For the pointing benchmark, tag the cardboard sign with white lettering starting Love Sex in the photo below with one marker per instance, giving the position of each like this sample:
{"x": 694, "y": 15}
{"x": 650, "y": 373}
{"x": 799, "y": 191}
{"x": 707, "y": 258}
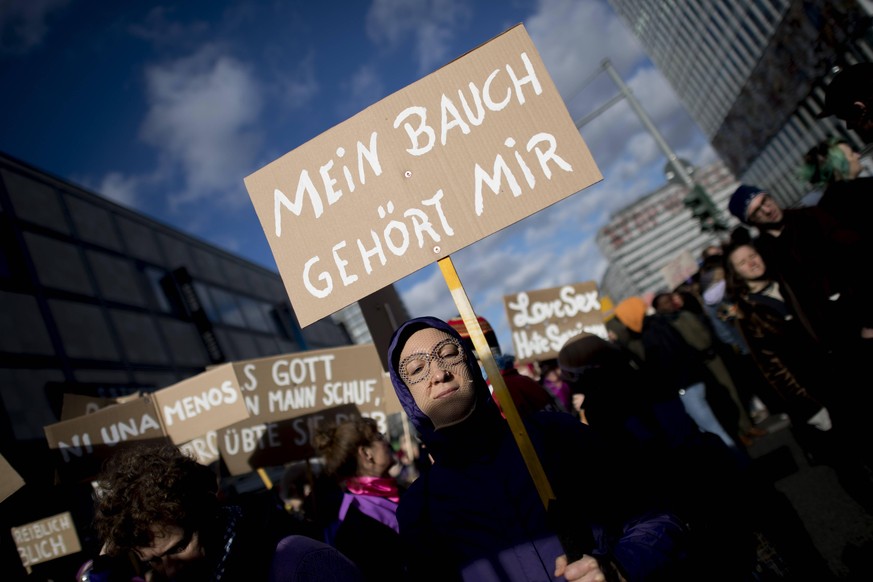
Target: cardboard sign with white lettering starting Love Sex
{"x": 543, "y": 320}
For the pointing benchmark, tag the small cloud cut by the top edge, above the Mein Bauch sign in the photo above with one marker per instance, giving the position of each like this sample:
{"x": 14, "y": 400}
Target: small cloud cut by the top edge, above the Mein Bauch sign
{"x": 429, "y": 23}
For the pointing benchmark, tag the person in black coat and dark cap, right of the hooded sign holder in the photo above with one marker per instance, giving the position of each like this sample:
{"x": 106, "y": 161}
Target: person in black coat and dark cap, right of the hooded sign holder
{"x": 726, "y": 503}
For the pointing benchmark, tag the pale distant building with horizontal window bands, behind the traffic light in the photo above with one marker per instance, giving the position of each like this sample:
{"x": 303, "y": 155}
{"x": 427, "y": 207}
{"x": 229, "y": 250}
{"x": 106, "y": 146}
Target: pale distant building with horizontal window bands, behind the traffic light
{"x": 643, "y": 239}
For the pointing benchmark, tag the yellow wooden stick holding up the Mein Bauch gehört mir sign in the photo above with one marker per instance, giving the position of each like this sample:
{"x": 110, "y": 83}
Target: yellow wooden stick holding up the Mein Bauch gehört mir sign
{"x": 500, "y": 390}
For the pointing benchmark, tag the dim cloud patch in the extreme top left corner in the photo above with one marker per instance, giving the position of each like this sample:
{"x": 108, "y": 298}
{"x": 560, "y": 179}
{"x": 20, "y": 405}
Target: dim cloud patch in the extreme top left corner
{"x": 25, "y": 23}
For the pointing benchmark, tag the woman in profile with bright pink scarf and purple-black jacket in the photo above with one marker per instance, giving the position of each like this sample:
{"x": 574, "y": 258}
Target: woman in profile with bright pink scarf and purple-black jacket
{"x": 359, "y": 458}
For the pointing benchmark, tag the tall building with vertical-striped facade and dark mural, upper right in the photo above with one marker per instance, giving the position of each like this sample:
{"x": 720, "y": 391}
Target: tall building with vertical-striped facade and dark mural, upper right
{"x": 751, "y": 73}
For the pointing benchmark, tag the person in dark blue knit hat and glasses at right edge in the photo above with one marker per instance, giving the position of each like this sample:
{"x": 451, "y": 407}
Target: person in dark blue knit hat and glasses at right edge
{"x": 817, "y": 259}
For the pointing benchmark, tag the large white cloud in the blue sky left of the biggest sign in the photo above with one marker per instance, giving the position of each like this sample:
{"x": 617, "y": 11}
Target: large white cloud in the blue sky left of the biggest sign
{"x": 202, "y": 117}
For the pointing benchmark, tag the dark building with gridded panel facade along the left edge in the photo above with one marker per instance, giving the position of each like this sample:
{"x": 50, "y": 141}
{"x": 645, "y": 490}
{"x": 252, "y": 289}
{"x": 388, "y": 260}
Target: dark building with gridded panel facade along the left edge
{"x": 100, "y": 300}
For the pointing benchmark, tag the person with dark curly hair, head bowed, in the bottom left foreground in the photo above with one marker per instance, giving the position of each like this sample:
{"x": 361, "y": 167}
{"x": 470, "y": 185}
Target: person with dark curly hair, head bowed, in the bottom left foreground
{"x": 161, "y": 507}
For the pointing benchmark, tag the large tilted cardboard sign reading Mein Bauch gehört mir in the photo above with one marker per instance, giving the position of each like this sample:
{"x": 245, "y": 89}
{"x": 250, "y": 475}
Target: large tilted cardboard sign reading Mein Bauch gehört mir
{"x": 458, "y": 155}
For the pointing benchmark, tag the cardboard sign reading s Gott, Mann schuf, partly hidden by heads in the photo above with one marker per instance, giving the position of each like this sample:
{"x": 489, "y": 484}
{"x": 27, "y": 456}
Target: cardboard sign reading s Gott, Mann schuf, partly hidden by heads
{"x": 296, "y": 386}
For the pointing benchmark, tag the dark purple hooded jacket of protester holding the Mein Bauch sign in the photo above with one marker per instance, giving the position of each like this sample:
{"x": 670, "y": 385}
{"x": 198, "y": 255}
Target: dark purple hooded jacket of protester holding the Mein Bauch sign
{"x": 477, "y": 515}
